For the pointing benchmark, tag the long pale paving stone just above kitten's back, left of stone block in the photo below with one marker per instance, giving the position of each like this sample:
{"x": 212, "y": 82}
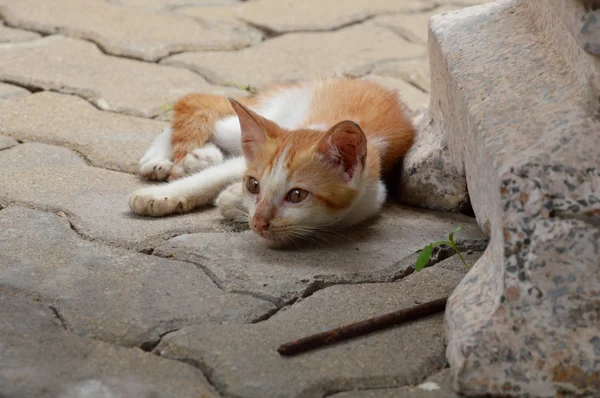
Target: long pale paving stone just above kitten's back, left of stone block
{"x": 299, "y": 56}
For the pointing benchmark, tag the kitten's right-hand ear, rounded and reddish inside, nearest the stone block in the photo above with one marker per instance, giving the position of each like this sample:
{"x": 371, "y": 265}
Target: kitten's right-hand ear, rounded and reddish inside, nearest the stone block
{"x": 344, "y": 146}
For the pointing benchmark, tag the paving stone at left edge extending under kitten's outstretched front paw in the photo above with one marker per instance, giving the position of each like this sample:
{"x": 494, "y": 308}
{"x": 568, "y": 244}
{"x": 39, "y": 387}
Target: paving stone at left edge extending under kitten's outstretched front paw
{"x": 95, "y": 200}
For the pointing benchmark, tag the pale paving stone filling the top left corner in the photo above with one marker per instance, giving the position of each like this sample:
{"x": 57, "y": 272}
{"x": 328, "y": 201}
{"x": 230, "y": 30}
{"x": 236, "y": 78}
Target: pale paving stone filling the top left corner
{"x": 128, "y": 31}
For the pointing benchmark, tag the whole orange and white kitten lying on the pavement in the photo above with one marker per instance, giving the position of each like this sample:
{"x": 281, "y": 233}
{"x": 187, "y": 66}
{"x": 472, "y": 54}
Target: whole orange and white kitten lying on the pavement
{"x": 293, "y": 160}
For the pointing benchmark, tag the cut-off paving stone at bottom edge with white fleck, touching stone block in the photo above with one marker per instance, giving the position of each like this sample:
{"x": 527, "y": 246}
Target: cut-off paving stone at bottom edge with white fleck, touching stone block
{"x": 436, "y": 386}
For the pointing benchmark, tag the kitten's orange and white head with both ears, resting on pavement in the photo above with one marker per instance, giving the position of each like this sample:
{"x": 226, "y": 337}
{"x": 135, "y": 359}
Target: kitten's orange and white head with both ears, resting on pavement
{"x": 299, "y": 183}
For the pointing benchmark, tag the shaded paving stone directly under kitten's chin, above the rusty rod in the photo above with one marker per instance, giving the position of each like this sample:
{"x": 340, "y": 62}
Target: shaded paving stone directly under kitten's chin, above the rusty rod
{"x": 375, "y": 252}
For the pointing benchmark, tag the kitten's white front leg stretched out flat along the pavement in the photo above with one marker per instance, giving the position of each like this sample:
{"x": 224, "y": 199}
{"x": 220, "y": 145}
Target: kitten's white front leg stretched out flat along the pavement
{"x": 187, "y": 193}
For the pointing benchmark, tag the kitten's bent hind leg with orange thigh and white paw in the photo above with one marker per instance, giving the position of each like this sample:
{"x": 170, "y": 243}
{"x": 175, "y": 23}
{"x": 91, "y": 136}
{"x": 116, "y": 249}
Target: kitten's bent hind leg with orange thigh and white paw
{"x": 195, "y": 116}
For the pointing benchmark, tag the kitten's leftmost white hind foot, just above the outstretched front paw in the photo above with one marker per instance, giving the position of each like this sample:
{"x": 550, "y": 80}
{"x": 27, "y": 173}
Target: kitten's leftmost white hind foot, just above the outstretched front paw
{"x": 156, "y": 164}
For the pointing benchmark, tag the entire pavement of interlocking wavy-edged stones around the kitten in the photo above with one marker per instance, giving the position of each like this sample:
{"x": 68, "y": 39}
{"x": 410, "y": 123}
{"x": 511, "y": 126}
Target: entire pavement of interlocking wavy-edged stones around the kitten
{"x": 97, "y": 302}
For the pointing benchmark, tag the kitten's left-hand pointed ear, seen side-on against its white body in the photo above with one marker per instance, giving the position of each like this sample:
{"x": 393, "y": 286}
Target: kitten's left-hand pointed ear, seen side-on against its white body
{"x": 255, "y": 129}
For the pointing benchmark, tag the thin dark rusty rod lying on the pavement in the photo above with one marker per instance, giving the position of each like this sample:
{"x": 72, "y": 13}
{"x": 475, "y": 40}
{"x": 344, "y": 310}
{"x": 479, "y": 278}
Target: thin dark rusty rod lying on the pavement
{"x": 364, "y": 327}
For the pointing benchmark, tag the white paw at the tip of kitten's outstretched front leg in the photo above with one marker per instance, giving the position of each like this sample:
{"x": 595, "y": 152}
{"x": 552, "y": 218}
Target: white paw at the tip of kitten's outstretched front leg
{"x": 157, "y": 202}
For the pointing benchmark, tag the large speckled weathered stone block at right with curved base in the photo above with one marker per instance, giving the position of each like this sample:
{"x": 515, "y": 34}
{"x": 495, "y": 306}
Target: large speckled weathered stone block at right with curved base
{"x": 525, "y": 321}
